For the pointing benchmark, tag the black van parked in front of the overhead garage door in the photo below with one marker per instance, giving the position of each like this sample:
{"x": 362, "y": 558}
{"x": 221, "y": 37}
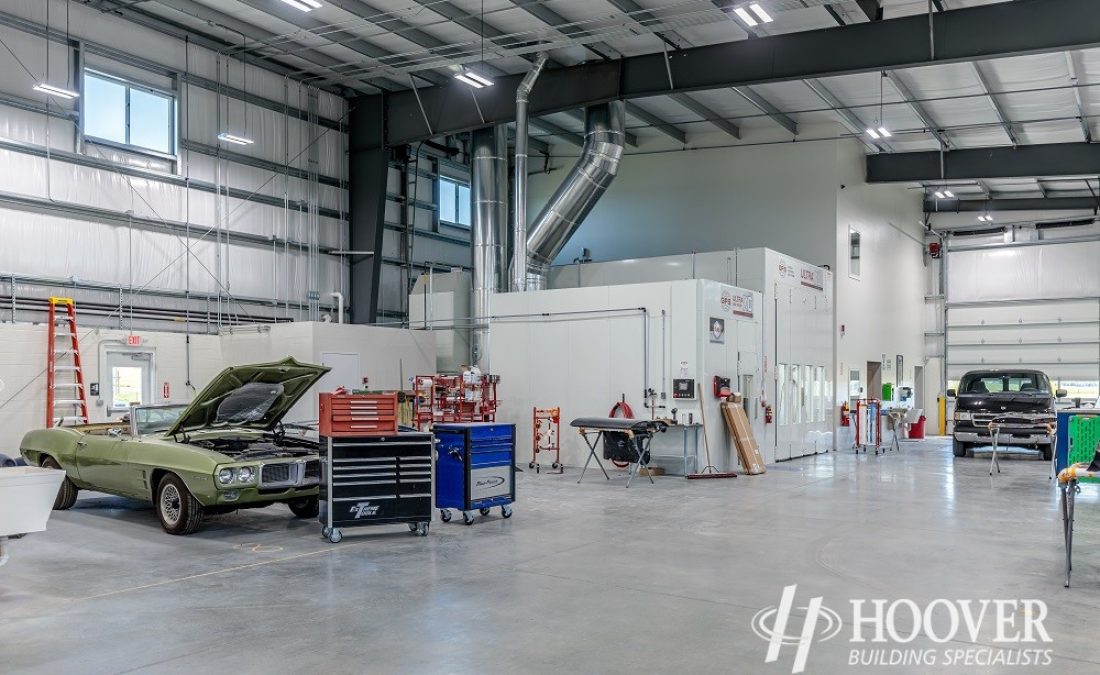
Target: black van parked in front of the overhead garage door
{"x": 1020, "y": 402}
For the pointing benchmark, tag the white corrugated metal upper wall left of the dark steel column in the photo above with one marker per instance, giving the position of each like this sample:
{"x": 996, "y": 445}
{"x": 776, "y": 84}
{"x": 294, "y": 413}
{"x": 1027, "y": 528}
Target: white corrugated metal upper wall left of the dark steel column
{"x": 233, "y": 234}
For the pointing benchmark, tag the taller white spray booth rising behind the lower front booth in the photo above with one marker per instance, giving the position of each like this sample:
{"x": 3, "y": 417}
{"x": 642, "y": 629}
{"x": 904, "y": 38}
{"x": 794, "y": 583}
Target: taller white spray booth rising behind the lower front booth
{"x": 797, "y": 319}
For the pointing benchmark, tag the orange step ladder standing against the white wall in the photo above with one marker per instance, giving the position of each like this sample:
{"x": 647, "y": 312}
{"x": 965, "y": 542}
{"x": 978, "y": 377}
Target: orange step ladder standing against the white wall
{"x": 65, "y": 397}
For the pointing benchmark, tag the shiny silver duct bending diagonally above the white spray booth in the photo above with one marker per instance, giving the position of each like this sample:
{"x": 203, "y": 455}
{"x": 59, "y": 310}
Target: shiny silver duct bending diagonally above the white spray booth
{"x": 580, "y": 192}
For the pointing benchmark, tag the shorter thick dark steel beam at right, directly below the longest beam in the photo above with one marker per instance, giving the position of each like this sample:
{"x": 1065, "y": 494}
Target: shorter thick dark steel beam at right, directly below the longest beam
{"x": 1005, "y": 162}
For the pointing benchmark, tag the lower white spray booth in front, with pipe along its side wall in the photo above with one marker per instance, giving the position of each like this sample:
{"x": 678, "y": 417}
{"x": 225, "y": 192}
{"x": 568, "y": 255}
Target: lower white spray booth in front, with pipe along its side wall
{"x": 585, "y": 349}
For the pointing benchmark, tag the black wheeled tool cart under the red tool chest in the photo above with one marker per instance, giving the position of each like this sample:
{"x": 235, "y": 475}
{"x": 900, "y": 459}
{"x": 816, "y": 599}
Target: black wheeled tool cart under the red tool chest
{"x": 371, "y": 481}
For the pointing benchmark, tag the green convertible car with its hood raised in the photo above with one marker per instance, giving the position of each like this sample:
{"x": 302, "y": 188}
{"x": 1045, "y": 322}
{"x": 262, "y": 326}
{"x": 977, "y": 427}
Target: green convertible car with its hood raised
{"x": 227, "y": 450}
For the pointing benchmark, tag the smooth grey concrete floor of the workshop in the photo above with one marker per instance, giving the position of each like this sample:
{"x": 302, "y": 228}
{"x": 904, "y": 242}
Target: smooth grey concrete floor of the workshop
{"x": 585, "y": 579}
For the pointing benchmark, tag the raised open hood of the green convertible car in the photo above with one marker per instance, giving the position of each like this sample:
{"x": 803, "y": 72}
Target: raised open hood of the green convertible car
{"x": 254, "y": 396}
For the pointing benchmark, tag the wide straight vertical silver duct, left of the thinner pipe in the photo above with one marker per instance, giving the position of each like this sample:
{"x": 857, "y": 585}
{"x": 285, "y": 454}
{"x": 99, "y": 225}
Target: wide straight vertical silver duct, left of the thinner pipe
{"x": 490, "y": 161}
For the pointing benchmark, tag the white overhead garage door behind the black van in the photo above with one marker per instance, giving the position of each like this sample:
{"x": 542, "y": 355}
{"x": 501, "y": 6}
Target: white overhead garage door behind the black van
{"x": 1026, "y": 305}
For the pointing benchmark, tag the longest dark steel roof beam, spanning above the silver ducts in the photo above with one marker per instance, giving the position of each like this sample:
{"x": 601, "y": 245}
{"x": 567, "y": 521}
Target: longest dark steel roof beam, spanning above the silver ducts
{"x": 1024, "y": 27}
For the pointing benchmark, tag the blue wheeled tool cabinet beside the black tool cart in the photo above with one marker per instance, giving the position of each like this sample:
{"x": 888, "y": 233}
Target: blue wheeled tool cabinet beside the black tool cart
{"x": 476, "y": 469}
